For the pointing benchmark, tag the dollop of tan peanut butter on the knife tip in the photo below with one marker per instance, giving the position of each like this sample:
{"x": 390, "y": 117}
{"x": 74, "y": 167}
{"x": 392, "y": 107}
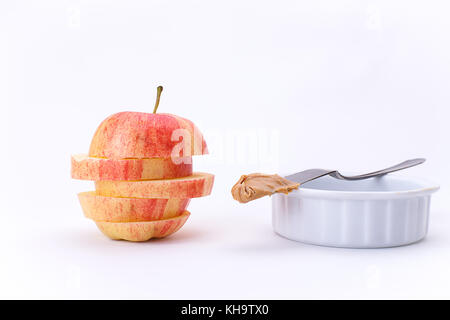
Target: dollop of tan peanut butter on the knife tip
{"x": 257, "y": 185}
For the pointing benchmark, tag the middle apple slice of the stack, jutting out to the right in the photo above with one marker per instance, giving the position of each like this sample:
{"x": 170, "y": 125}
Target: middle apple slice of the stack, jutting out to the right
{"x": 197, "y": 185}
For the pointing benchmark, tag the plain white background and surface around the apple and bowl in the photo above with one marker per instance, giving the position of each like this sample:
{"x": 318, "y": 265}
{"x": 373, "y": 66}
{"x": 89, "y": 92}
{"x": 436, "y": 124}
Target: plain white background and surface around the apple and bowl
{"x": 353, "y": 85}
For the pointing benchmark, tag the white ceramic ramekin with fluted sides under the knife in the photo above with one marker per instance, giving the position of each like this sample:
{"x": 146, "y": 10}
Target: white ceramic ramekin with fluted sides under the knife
{"x": 379, "y": 212}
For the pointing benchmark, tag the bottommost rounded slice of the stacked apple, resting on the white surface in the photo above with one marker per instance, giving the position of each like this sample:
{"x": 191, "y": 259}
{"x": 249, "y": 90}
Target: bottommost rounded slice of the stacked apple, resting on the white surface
{"x": 144, "y": 230}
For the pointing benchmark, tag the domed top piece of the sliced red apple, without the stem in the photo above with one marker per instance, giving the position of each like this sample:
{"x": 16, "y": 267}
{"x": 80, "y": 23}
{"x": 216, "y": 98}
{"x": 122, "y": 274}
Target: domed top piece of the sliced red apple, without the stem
{"x": 143, "y": 135}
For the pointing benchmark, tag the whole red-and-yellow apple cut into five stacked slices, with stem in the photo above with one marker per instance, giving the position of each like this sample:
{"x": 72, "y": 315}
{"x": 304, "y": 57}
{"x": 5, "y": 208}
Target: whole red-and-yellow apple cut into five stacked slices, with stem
{"x": 142, "y": 167}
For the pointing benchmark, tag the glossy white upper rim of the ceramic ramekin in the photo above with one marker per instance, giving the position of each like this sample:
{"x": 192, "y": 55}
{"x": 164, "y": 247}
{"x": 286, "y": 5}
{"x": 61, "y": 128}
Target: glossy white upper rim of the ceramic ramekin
{"x": 427, "y": 189}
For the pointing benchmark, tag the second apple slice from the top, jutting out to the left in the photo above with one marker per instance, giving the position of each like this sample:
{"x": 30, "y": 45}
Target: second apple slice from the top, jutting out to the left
{"x": 90, "y": 168}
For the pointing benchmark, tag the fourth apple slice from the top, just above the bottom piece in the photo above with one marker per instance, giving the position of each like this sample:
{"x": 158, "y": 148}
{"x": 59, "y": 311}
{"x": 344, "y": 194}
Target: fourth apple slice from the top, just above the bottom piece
{"x": 113, "y": 209}
